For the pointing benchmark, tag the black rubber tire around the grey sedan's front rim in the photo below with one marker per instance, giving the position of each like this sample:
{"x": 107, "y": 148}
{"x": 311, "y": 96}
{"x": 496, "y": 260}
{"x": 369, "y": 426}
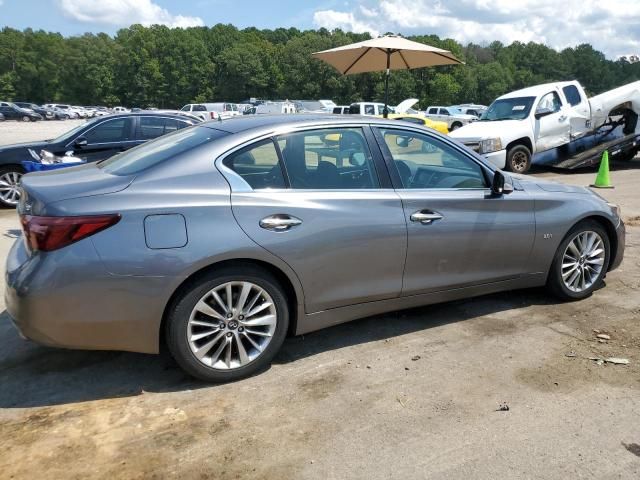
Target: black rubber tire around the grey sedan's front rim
{"x": 555, "y": 282}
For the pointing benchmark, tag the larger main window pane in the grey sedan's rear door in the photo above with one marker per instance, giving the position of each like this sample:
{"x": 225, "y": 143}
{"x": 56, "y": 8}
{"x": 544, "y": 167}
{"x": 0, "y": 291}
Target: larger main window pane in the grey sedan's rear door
{"x": 332, "y": 158}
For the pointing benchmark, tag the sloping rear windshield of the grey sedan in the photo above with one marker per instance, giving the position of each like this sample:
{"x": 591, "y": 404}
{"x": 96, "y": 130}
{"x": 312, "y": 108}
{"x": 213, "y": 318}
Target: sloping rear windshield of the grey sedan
{"x": 157, "y": 151}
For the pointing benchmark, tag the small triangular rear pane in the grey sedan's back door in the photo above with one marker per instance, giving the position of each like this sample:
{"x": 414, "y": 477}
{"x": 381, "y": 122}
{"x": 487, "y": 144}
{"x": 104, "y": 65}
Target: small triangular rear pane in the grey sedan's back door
{"x": 258, "y": 165}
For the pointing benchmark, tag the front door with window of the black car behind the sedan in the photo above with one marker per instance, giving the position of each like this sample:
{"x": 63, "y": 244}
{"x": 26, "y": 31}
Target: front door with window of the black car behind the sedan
{"x": 105, "y": 139}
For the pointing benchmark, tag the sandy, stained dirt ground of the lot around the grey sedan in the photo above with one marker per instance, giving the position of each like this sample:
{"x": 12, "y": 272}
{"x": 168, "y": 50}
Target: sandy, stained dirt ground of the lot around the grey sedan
{"x": 413, "y": 394}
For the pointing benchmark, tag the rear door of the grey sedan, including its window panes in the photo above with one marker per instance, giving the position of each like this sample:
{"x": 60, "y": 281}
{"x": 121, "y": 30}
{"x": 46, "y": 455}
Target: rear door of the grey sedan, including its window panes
{"x": 320, "y": 201}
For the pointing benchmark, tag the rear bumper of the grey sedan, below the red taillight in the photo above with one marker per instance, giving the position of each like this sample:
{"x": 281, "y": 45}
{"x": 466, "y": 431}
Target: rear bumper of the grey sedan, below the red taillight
{"x": 67, "y": 299}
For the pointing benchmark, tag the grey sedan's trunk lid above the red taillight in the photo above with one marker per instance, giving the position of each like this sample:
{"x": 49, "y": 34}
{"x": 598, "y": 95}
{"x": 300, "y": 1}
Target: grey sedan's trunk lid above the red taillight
{"x": 44, "y": 188}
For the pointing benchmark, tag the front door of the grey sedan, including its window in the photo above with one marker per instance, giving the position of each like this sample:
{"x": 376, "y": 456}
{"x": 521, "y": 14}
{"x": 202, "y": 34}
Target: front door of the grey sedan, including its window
{"x": 459, "y": 234}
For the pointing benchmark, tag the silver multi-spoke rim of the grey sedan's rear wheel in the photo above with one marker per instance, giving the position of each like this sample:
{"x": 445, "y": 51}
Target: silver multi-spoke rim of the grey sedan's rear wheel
{"x": 231, "y": 325}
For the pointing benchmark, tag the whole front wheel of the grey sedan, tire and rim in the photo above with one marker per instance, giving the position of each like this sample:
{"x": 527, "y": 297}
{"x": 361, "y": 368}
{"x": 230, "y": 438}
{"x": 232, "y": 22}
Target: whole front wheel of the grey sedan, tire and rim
{"x": 581, "y": 262}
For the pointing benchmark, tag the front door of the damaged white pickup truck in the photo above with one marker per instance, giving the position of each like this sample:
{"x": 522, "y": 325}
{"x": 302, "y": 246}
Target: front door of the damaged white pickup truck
{"x": 552, "y": 125}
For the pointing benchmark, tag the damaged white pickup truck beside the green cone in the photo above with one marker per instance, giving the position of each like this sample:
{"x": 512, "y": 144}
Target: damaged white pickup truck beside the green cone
{"x": 544, "y": 117}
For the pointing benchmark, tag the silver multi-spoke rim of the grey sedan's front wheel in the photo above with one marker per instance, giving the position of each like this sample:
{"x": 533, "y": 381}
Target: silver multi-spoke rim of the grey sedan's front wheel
{"x": 583, "y": 261}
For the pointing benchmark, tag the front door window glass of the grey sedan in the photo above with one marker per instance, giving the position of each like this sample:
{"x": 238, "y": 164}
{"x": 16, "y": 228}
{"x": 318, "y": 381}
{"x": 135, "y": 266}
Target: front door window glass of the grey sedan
{"x": 424, "y": 162}
